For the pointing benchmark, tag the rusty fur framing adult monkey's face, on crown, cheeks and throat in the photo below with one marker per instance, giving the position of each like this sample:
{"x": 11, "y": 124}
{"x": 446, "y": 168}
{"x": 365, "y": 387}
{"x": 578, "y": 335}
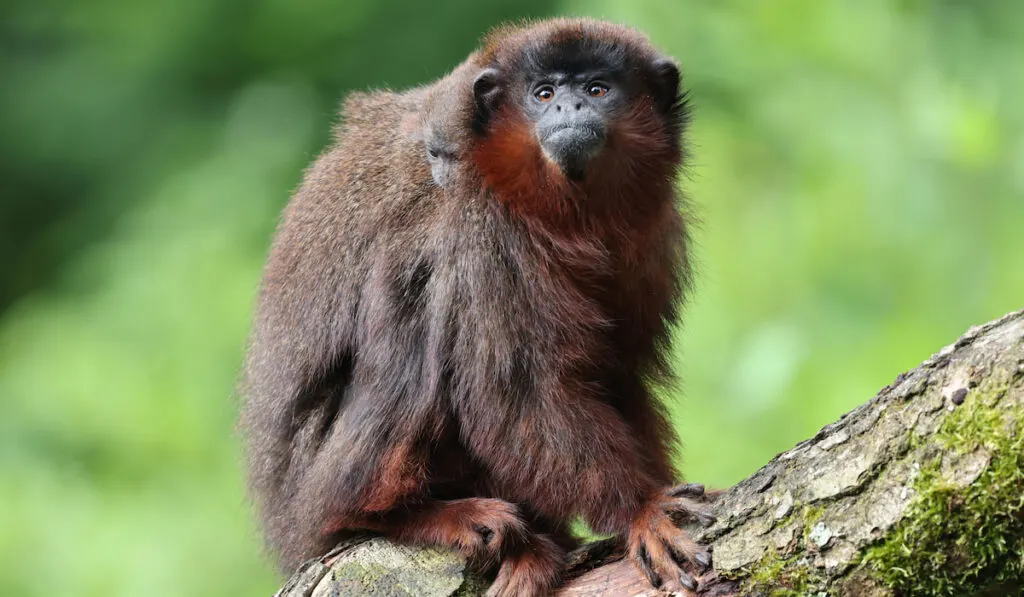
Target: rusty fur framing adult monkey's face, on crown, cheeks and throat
{"x": 632, "y": 177}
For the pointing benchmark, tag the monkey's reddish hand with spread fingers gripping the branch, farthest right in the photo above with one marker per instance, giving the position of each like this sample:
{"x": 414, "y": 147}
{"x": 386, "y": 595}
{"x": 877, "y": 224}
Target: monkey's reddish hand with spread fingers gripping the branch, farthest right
{"x": 661, "y": 549}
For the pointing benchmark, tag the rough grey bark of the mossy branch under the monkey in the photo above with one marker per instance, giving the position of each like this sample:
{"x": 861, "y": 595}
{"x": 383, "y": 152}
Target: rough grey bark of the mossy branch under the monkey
{"x": 919, "y": 492}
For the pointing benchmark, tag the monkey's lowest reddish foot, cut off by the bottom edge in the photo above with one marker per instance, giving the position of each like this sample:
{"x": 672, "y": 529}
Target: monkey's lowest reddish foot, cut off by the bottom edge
{"x": 532, "y": 571}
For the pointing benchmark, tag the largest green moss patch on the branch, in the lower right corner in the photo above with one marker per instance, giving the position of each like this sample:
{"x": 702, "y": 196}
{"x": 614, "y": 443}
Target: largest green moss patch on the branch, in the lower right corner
{"x": 963, "y": 541}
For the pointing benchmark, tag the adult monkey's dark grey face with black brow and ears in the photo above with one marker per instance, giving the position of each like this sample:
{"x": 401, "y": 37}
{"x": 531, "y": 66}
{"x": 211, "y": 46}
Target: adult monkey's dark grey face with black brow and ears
{"x": 574, "y": 93}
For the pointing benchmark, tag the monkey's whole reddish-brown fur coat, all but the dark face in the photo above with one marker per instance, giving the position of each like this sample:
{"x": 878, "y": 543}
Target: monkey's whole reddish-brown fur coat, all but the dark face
{"x": 473, "y": 366}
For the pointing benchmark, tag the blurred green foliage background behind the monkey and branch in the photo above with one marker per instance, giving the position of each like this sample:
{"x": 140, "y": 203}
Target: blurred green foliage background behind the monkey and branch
{"x": 859, "y": 169}
